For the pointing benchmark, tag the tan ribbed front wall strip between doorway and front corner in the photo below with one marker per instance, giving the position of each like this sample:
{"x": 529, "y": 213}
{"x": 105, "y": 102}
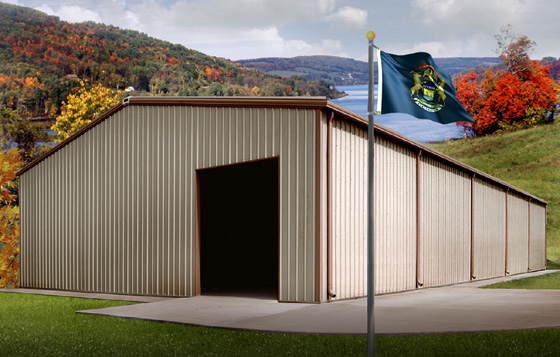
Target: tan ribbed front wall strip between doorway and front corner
{"x": 297, "y": 204}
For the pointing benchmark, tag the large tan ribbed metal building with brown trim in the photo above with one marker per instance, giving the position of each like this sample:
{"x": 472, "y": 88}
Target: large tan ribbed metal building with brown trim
{"x": 186, "y": 196}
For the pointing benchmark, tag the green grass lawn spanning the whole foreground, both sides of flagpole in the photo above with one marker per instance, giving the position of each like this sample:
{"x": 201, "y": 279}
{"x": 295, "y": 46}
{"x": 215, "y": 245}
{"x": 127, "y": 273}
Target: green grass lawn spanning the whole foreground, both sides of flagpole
{"x": 36, "y": 325}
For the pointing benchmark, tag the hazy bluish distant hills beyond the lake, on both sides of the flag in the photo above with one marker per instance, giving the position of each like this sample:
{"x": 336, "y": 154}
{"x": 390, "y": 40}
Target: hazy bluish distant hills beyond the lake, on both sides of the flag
{"x": 347, "y": 71}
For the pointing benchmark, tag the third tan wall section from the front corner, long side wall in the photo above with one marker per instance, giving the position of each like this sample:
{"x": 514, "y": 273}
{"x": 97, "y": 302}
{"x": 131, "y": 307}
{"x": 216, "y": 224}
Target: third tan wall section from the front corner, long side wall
{"x": 489, "y": 235}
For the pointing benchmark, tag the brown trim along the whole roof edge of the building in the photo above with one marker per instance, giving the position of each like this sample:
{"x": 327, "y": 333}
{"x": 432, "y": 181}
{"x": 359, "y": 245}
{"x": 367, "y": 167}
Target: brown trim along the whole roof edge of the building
{"x": 275, "y": 102}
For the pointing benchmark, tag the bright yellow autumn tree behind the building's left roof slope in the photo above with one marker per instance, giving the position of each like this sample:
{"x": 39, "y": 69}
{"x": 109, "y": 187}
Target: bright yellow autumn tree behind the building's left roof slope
{"x": 82, "y": 107}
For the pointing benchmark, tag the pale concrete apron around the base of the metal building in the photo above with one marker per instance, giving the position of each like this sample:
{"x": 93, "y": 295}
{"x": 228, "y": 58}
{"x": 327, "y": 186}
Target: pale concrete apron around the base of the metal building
{"x": 451, "y": 309}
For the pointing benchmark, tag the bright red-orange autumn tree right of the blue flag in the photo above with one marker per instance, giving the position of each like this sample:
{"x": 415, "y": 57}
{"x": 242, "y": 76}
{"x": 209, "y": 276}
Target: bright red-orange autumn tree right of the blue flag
{"x": 520, "y": 95}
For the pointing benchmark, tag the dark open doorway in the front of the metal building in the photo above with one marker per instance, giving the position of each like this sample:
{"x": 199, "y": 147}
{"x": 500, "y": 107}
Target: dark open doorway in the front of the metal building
{"x": 239, "y": 229}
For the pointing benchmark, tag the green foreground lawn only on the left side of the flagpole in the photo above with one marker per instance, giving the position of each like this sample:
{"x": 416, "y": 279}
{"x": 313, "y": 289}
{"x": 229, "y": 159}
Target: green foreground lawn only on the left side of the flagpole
{"x": 36, "y": 325}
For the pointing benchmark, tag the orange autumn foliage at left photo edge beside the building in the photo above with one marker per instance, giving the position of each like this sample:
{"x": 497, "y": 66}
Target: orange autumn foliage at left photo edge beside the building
{"x": 10, "y": 162}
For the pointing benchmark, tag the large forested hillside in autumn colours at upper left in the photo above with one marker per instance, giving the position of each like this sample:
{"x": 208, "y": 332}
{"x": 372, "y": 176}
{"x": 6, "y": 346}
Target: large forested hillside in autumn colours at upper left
{"x": 42, "y": 58}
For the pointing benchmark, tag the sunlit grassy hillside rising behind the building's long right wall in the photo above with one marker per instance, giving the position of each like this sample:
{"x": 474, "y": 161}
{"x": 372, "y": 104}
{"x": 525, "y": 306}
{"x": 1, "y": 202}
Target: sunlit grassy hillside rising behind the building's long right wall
{"x": 528, "y": 159}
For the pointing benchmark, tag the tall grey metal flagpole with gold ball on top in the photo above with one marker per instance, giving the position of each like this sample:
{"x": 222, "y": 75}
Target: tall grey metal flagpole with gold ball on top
{"x": 370, "y": 207}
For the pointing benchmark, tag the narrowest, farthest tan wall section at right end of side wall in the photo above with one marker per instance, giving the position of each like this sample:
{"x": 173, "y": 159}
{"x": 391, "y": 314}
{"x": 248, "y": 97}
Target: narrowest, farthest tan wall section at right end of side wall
{"x": 537, "y": 237}
